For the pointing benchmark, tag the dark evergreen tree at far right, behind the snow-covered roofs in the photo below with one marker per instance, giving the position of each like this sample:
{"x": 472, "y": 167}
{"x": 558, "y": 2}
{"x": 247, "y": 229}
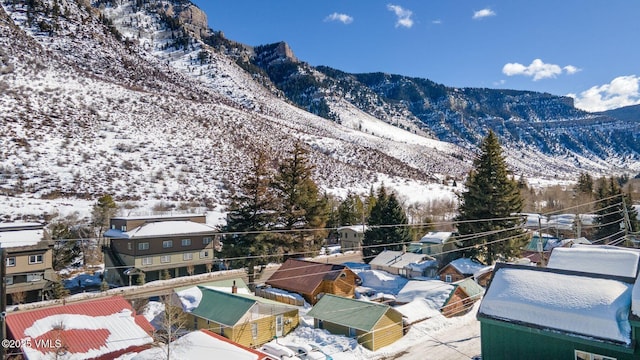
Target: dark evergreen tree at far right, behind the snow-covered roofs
{"x": 611, "y": 219}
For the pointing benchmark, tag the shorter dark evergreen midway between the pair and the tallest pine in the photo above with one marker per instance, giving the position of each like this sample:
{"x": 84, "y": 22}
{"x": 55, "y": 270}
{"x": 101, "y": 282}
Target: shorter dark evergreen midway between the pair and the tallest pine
{"x": 387, "y": 226}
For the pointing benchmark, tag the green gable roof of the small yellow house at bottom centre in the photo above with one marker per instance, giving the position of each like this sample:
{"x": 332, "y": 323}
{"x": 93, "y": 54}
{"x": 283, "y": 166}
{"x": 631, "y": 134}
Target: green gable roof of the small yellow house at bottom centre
{"x": 356, "y": 314}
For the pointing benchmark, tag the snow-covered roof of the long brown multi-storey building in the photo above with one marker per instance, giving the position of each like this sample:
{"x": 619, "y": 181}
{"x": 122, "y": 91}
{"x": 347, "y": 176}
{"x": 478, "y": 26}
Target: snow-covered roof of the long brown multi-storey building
{"x": 161, "y": 228}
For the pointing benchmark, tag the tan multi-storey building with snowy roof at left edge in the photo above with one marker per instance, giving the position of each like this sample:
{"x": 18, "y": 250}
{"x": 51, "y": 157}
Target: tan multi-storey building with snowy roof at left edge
{"x": 28, "y": 262}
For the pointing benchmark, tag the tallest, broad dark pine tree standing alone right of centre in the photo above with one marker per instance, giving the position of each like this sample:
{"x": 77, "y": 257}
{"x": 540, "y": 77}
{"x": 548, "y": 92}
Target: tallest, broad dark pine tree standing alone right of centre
{"x": 491, "y": 194}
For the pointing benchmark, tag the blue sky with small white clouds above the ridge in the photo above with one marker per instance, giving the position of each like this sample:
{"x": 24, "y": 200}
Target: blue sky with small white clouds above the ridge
{"x": 584, "y": 48}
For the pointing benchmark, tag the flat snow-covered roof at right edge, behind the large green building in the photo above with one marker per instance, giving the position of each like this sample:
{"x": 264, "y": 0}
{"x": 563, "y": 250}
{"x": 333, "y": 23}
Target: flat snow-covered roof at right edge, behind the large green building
{"x": 596, "y": 259}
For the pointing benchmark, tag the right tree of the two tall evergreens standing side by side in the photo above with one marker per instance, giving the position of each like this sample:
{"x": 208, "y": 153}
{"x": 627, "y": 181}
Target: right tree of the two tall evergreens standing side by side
{"x": 300, "y": 204}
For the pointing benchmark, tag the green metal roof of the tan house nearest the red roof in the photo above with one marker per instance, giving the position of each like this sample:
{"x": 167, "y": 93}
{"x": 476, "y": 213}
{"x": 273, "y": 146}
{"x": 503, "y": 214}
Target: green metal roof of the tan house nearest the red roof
{"x": 221, "y": 307}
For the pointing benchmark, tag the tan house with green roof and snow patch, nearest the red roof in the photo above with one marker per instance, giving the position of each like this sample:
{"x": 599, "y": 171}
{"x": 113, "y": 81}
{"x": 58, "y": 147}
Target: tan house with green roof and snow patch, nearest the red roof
{"x": 245, "y": 319}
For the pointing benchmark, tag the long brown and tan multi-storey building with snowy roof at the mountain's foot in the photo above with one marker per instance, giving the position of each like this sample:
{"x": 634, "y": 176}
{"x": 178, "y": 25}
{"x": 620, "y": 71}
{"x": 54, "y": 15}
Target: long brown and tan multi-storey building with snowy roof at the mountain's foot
{"x": 147, "y": 246}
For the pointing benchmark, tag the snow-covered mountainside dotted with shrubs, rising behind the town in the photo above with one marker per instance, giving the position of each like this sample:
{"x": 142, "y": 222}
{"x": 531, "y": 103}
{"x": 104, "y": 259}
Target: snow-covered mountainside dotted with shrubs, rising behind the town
{"x": 139, "y": 99}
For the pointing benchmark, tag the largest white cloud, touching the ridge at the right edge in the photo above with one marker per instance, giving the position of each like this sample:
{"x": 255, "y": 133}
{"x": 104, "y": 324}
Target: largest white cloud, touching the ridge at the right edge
{"x": 621, "y": 91}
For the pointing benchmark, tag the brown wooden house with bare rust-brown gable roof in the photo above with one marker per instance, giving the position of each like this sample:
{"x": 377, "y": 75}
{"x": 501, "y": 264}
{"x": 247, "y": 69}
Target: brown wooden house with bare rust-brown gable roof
{"x": 312, "y": 280}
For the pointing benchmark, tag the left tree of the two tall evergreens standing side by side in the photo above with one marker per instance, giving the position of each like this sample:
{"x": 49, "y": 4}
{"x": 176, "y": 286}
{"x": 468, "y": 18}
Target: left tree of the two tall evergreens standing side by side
{"x": 252, "y": 211}
